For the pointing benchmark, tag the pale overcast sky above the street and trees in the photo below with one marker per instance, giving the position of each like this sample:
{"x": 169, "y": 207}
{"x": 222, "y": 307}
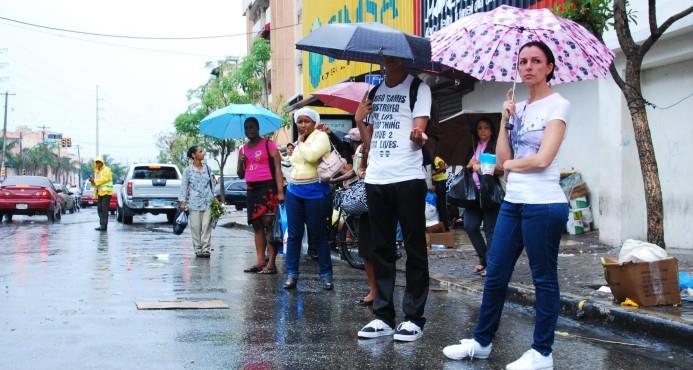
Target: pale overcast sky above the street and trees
{"x": 143, "y": 83}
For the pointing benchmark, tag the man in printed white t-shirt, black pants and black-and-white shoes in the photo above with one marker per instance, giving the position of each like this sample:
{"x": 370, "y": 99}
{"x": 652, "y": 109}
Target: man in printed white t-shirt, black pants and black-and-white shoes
{"x": 393, "y": 127}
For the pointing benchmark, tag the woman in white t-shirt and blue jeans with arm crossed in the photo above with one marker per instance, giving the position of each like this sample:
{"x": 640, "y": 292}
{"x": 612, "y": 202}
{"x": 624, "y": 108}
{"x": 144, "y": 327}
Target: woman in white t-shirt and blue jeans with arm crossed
{"x": 533, "y": 214}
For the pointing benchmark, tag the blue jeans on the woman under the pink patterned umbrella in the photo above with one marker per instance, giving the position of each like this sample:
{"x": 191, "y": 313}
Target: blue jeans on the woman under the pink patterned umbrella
{"x": 537, "y": 228}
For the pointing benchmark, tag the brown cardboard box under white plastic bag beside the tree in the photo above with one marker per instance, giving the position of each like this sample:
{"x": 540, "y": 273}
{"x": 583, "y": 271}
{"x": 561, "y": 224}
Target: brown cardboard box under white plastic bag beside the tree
{"x": 646, "y": 283}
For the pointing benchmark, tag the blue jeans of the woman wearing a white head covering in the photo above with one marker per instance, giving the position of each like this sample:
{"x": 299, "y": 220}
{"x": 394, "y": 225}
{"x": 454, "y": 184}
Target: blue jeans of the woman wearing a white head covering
{"x": 313, "y": 213}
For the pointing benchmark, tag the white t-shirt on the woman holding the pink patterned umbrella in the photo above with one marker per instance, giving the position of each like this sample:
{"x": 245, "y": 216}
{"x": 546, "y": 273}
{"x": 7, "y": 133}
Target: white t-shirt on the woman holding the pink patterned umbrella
{"x": 538, "y": 187}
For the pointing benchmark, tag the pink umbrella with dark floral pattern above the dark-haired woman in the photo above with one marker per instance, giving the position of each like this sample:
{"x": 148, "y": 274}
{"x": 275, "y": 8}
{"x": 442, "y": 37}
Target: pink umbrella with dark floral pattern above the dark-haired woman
{"x": 486, "y": 45}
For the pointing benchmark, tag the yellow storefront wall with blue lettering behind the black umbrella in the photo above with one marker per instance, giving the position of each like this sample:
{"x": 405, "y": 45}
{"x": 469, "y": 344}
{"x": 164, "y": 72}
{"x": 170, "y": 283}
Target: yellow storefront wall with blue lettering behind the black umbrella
{"x": 320, "y": 71}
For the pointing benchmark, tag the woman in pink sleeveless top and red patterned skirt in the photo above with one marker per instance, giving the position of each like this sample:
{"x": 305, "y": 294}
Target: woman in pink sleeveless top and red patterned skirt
{"x": 259, "y": 163}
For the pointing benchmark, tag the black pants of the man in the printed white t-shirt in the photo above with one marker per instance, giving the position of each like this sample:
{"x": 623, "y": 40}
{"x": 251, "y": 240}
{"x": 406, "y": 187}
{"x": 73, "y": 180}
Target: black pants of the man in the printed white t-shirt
{"x": 403, "y": 201}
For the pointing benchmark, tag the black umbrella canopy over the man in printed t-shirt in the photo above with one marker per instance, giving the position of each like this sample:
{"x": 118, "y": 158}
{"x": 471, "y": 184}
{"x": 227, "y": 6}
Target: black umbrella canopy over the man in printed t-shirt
{"x": 368, "y": 42}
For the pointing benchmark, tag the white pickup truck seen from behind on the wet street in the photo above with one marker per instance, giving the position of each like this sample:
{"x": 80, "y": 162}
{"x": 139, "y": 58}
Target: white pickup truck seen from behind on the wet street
{"x": 149, "y": 188}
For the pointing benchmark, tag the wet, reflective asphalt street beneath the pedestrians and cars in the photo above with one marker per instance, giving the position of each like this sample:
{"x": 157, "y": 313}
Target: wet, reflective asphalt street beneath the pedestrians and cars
{"x": 68, "y": 294}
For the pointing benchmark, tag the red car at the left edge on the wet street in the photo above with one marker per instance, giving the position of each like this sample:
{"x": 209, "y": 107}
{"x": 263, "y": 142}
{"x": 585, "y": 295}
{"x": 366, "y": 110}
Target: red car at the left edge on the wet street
{"x": 29, "y": 195}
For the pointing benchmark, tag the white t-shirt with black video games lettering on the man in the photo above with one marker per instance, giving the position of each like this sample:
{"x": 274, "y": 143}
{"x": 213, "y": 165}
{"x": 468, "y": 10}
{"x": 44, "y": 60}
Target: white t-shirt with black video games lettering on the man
{"x": 393, "y": 157}
